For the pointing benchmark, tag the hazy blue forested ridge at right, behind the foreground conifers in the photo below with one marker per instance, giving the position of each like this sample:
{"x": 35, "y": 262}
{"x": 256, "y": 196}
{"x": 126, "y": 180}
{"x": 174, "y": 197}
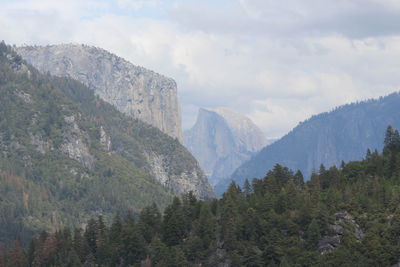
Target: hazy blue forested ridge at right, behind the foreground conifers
{"x": 328, "y": 138}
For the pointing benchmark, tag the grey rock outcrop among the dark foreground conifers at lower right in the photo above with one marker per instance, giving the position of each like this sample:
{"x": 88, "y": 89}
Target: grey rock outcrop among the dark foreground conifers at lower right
{"x": 343, "y": 222}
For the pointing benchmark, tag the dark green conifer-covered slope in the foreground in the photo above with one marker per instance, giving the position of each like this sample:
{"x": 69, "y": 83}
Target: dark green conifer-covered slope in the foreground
{"x": 347, "y": 216}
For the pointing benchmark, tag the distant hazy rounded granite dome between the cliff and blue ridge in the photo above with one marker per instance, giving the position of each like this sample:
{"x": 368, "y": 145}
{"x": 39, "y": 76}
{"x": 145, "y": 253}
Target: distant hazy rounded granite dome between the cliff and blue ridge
{"x": 221, "y": 140}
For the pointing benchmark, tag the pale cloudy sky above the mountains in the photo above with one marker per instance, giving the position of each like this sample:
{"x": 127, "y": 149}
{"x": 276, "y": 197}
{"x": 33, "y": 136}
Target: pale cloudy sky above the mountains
{"x": 276, "y": 61}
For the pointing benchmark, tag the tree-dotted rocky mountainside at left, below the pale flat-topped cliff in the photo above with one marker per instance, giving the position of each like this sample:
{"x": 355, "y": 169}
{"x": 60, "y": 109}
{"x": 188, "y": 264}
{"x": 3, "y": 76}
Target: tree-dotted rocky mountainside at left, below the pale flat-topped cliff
{"x": 66, "y": 155}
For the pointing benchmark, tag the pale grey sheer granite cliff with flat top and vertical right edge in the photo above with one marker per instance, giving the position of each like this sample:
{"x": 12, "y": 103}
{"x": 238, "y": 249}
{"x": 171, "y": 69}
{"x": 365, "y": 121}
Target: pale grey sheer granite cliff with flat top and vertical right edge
{"x": 133, "y": 90}
